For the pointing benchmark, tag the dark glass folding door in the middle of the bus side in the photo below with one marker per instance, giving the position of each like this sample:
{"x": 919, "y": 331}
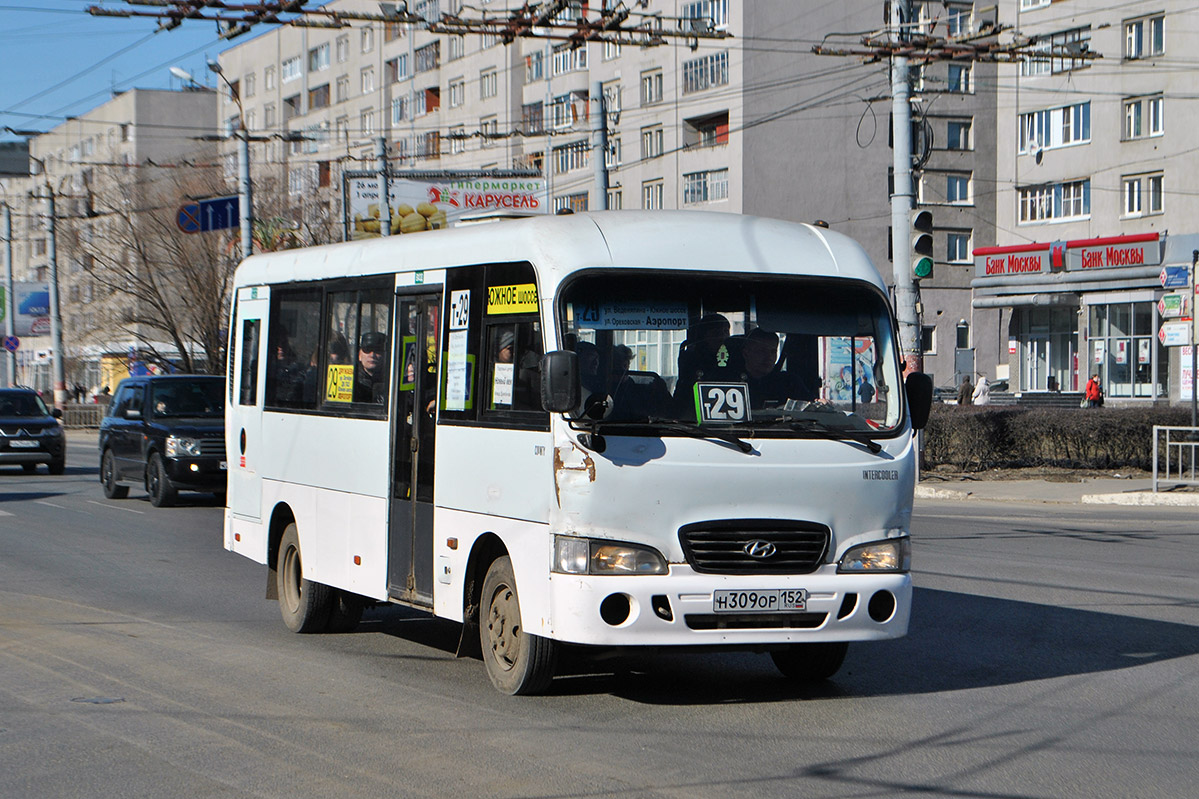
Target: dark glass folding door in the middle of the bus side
{"x": 411, "y": 530}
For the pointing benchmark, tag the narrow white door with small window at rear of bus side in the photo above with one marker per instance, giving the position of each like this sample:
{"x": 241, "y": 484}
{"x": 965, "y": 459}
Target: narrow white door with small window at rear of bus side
{"x": 244, "y": 441}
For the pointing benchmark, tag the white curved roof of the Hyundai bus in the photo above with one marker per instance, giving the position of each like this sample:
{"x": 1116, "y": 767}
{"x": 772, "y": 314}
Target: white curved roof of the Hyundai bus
{"x": 562, "y": 245}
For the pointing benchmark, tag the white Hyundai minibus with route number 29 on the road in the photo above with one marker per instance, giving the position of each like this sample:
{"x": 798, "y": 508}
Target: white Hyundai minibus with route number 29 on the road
{"x": 597, "y": 430}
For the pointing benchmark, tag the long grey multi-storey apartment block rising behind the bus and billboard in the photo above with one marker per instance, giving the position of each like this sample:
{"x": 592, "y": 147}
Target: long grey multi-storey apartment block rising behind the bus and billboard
{"x": 752, "y": 124}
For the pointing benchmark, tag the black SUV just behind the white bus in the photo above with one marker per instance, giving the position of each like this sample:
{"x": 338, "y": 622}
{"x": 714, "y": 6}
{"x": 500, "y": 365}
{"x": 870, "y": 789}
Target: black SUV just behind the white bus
{"x": 167, "y": 434}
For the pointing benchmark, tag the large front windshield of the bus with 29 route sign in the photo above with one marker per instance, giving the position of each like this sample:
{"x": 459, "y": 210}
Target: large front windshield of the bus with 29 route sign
{"x": 752, "y": 355}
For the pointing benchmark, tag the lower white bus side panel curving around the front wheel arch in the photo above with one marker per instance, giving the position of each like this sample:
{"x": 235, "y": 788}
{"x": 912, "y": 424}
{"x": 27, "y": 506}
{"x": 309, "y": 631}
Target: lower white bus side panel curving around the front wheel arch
{"x": 528, "y": 545}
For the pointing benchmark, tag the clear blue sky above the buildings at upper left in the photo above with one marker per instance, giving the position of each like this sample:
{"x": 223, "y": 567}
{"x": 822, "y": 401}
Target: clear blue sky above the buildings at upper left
{"x": 57, "y": 61}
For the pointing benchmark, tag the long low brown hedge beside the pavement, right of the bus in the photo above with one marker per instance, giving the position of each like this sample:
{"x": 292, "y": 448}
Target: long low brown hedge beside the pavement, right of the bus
{"x": 973, "y": 438}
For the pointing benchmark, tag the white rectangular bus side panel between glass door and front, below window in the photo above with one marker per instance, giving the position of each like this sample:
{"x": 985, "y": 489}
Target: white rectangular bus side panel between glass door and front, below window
{"x": 498, "y": 472}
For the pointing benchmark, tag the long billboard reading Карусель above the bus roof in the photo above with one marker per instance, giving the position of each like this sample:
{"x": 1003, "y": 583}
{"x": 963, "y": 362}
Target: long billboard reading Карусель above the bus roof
{"x": 431, "y": 205}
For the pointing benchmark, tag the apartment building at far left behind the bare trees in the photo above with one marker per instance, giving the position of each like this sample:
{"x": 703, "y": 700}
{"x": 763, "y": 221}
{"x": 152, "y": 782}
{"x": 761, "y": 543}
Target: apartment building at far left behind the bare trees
{"x": 119, "y": 160}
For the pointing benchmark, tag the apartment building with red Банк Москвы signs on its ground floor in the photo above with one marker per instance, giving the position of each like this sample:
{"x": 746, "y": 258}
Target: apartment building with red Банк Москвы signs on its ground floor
{"x": 1095, "y": 155}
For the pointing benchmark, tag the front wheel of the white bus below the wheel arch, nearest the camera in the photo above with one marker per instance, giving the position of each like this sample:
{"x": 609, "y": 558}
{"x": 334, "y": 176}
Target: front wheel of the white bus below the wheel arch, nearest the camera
{"x": 517, "y": 663}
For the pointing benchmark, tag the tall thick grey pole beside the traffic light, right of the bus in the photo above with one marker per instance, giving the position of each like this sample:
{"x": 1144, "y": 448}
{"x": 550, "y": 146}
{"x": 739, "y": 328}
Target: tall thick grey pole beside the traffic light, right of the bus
{"x": 902, "y": 197}
